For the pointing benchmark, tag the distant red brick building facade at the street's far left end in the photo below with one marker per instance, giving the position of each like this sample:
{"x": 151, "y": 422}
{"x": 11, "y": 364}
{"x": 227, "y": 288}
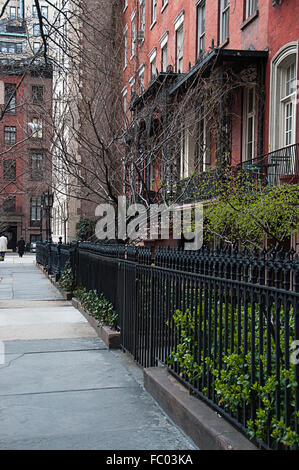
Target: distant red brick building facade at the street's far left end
{"x": 25, "y": 170}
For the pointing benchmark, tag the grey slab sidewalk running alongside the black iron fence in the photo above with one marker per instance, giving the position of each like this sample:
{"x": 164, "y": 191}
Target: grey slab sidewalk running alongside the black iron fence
{"x": 60, "y": 387}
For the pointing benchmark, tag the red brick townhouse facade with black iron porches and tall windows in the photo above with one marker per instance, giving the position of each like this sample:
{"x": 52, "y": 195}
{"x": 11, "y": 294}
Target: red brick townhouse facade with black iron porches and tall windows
{"x": 229, "y": 68}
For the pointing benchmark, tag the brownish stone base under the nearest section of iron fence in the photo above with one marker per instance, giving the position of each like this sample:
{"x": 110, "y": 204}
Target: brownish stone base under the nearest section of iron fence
{"x": 207, "y": 429}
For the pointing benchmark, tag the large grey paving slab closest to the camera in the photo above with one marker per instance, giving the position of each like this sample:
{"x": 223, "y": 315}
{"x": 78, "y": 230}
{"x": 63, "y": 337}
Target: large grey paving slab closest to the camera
{"x": 117, "y": 419}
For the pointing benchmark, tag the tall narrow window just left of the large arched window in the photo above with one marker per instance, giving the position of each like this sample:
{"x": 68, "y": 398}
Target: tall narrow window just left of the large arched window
{"x": 249, "y": 124}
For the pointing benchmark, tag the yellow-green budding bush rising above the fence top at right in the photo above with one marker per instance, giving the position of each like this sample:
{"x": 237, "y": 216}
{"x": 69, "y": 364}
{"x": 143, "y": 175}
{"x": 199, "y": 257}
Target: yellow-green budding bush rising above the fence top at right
{"x": 245, "y": 212}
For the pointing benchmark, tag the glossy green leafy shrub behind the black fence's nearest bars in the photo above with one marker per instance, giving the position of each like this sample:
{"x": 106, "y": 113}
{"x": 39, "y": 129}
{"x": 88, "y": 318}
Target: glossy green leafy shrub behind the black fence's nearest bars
{"x": 235, "y": 375}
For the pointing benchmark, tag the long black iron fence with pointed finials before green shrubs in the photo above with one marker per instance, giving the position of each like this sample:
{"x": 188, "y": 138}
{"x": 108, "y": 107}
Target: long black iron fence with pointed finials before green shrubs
{"x": 224, "y": 322}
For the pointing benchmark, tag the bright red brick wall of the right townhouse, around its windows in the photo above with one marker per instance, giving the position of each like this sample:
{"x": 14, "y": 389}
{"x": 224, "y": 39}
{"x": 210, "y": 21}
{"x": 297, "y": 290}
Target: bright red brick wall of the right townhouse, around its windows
{"x": 270, "y": 29}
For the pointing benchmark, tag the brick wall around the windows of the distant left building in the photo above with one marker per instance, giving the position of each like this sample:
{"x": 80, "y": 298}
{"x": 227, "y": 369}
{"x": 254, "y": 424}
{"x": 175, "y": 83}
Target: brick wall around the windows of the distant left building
{"x": 25, "y": 187}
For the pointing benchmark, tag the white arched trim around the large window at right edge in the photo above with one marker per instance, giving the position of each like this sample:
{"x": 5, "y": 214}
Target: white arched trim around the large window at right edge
{"x": 274, "y": 113}
